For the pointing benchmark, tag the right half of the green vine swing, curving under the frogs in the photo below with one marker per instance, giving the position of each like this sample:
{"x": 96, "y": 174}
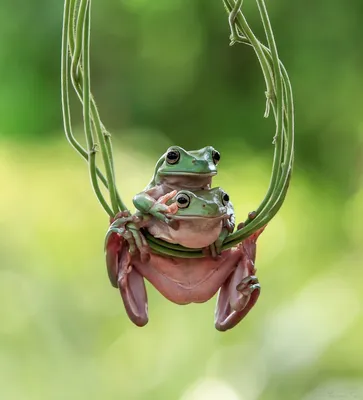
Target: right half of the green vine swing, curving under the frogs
{"x": 284, "y": 132}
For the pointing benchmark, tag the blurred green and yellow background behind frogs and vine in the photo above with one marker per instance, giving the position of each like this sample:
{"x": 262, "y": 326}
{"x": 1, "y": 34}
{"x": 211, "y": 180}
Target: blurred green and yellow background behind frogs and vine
{"x": 163, "y": 73}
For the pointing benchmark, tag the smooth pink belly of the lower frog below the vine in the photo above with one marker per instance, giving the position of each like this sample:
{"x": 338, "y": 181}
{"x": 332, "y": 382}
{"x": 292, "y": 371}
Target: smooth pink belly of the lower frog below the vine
{"x": 184, "y": 281}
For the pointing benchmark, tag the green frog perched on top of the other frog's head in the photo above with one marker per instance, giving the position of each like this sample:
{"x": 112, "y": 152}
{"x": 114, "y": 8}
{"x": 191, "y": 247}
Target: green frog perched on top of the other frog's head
{"x": 192, "y": 171}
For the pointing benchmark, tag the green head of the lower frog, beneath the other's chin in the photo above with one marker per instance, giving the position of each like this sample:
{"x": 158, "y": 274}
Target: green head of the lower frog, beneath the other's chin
{"x": 203, "y": 205}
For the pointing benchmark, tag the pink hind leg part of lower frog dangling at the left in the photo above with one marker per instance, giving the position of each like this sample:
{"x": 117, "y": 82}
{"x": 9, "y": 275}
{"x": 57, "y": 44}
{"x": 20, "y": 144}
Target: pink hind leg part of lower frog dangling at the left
{"x": 132, "y": 289}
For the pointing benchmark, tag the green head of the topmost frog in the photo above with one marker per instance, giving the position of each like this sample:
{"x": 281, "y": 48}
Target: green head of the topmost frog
{"x": 189, "y": 168}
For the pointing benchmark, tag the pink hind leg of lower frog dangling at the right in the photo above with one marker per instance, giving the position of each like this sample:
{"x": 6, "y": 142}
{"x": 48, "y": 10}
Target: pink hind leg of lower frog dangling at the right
{"x": 241, "y": 290}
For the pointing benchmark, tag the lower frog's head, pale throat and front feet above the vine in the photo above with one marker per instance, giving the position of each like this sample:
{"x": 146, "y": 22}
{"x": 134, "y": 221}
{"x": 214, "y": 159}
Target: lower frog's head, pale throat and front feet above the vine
{"x": 204, "y": 221}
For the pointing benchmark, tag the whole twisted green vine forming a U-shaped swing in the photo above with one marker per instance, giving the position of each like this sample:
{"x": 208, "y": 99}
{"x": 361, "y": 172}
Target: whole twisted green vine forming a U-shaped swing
{"x": 279, "y": 99}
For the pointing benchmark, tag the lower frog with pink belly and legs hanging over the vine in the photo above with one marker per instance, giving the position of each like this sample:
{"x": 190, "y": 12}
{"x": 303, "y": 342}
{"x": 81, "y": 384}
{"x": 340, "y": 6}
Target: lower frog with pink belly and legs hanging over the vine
{"x": 195, "y": 219}
